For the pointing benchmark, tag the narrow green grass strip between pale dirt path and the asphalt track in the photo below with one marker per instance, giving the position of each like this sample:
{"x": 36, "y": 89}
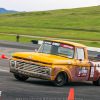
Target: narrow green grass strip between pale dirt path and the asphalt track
{"x": 28, "y": 40}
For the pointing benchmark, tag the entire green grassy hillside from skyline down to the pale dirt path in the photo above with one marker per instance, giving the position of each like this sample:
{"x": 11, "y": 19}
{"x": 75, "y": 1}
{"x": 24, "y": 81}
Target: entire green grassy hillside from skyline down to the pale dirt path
{"x": 78, "y": 23}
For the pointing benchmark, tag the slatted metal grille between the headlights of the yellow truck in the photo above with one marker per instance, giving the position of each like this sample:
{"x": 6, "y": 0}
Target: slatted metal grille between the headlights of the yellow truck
{"x": 31, "y": 67}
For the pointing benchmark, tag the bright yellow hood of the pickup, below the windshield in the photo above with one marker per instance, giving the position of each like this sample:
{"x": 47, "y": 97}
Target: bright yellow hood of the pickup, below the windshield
{"x": 42, "y": 57}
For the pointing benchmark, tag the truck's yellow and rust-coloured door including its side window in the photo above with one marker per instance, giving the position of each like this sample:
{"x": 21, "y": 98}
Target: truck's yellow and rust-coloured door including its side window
{"x": 82, "y": 65}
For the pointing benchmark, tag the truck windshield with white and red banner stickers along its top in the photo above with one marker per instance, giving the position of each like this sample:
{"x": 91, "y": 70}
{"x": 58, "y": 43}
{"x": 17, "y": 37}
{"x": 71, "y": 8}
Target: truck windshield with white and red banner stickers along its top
{"x": 59, "y": 49}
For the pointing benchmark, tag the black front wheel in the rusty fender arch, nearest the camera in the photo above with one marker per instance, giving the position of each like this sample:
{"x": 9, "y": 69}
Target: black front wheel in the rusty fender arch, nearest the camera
{"x": 60, "y": 80}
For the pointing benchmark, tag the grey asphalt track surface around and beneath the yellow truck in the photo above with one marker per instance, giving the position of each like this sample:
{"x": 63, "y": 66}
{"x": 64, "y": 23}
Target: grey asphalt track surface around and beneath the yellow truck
{"x": 36, "y": 89}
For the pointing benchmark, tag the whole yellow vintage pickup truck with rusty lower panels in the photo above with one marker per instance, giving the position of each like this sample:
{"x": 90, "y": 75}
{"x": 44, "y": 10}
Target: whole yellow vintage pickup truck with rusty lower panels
{"x": 56, "y": 61}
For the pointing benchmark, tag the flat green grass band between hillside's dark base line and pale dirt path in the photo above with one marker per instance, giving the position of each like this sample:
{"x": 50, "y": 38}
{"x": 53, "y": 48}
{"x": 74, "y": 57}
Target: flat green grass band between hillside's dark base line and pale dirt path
{"x": 68, "y": 34}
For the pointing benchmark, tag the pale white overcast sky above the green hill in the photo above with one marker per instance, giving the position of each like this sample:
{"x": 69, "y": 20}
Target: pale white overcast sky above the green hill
{"x": 43, "y": 5}
